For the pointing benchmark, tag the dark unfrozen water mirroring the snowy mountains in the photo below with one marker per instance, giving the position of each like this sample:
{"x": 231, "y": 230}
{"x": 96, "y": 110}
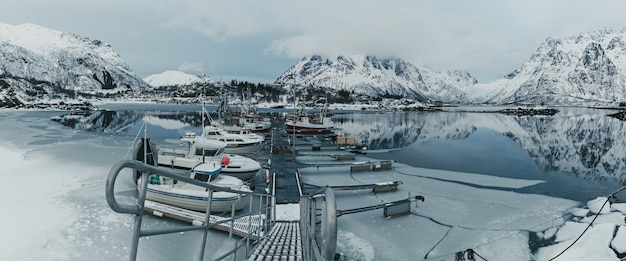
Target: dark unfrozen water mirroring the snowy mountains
{"x": 579, "y": 152}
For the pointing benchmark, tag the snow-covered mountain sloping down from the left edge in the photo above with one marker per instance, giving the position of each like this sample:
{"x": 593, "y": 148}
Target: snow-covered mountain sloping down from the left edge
{"x": 40, "y": 64}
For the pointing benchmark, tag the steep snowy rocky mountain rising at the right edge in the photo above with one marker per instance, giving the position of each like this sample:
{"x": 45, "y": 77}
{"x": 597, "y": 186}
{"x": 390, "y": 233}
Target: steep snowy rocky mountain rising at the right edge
{"x": 583, "y": 69}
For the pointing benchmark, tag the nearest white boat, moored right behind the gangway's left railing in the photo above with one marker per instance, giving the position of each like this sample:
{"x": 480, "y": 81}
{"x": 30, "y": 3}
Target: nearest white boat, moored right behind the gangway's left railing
{"x": 193, "y": 197}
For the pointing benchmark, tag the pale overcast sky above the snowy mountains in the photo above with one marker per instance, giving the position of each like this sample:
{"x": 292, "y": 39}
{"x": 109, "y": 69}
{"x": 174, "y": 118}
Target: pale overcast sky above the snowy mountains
{"x": 258, "y": 40}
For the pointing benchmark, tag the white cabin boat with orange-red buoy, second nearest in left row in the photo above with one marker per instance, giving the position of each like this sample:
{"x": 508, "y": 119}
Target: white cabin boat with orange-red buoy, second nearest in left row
{"x": 201, "y": 150}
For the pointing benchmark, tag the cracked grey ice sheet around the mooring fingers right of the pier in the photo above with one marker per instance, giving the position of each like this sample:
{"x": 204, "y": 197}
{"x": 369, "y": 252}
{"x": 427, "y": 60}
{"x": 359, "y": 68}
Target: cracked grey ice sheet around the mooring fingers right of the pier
{"x": 455, "y": 216}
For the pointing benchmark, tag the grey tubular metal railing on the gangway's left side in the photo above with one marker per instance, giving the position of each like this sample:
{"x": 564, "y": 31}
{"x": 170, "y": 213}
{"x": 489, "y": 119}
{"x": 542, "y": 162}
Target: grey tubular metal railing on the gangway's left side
{"x": 138, "y": 209}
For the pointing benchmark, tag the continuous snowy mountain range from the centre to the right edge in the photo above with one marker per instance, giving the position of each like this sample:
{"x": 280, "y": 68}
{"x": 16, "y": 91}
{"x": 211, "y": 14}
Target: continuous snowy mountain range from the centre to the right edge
{"x": 580, "y": 70}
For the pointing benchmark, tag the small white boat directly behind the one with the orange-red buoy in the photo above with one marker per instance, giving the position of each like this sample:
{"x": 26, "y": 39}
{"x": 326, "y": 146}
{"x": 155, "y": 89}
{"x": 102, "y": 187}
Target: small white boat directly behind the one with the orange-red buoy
{"x": 235, "y": 142}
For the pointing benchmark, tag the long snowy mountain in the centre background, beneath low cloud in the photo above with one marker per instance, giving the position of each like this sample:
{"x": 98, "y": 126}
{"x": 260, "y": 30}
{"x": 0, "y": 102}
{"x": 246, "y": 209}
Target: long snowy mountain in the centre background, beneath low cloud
{"x": 378, "y": 77}
